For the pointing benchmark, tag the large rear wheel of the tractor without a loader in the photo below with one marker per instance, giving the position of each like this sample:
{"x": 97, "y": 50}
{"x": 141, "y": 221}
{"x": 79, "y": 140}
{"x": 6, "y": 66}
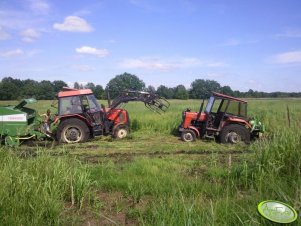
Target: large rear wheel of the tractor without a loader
{"x": 235, "y": 133}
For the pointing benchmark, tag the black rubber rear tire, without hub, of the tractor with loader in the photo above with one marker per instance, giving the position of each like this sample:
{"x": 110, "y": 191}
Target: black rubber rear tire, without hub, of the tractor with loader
{"x": 73, "y": 122}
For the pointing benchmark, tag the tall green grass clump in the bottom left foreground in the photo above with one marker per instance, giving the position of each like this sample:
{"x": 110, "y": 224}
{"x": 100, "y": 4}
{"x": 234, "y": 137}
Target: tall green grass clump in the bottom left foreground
{"x": 35, "y": 191}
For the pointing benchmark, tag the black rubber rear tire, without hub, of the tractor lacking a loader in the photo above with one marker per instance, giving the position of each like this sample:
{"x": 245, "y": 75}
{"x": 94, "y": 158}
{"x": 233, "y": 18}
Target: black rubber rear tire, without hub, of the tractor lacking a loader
{"x": 240, "y": 130}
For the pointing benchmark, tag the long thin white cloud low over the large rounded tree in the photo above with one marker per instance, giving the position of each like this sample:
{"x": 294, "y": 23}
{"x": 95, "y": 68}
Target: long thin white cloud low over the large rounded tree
{"x": 167, "y": 64}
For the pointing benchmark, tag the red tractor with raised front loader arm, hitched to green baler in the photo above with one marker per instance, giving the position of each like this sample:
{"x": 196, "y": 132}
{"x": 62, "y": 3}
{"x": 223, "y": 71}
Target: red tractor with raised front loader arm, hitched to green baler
{"x": 80, "y": 117}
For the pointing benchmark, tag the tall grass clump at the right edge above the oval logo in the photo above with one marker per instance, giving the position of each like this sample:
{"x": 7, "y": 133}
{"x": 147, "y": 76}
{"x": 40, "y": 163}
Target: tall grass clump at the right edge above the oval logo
{"x": 279, "y": 167}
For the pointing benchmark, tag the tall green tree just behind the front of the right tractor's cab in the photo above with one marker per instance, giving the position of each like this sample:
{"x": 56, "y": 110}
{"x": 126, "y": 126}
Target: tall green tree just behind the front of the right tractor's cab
{"x": 202, "y": 89}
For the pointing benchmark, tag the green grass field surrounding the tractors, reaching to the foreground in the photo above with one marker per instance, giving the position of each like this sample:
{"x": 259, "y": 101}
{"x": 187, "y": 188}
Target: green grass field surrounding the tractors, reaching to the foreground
{"x": 152, "y": 177}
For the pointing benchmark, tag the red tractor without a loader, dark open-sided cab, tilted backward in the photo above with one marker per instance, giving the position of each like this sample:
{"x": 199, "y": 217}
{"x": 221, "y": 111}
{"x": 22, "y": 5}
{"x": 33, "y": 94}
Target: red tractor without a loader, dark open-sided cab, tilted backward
{"x": 224, "y": 119}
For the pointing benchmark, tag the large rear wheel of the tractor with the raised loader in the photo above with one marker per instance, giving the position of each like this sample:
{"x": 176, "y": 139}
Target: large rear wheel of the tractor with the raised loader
{"x": 73, "y": 131}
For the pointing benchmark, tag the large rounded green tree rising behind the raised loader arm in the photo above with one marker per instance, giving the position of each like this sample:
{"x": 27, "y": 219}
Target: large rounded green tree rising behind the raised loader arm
{"x": 123, "y": 82}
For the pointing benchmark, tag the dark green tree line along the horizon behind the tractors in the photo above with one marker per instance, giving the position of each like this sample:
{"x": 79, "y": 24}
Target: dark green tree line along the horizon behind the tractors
{"x": 13, "y": 89}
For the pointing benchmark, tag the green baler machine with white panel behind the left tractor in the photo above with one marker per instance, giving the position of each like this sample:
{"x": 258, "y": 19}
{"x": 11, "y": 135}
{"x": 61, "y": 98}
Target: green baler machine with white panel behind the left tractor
{"x": 19, "y": 123}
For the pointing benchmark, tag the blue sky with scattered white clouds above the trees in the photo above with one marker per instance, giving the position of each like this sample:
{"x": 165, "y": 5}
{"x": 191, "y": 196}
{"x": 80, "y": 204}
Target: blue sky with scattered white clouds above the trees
{"x": 251, "y": 44}
